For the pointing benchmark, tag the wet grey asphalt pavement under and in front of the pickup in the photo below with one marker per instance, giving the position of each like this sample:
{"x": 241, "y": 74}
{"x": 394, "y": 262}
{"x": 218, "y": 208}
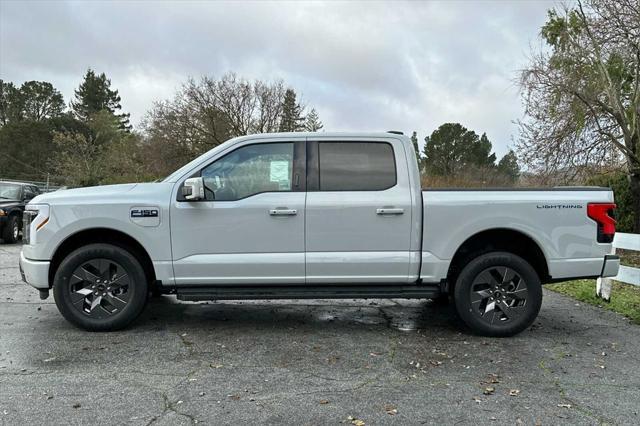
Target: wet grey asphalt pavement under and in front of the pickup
{"x": 311, "y": 362}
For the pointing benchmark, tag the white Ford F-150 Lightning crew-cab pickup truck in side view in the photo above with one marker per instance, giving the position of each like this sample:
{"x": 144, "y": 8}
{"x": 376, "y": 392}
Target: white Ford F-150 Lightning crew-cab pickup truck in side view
{"x": 312, "y": 215}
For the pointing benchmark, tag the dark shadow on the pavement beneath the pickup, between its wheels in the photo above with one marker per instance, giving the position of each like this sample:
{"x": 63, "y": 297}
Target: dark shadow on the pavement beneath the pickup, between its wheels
{"x": 165, "y": 312}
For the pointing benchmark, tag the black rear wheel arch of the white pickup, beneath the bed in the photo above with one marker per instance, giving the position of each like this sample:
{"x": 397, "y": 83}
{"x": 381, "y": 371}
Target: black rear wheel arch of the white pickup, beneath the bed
{"x": 499, "y": 239}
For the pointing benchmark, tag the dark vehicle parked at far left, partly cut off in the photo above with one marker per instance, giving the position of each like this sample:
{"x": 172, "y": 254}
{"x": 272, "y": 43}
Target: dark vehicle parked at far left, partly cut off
{"x": 13, "y": 197}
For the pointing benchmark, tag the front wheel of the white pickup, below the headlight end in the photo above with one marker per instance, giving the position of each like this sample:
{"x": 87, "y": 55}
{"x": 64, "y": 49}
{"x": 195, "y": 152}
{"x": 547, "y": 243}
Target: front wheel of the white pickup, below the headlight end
{"x": 100, "y": 287}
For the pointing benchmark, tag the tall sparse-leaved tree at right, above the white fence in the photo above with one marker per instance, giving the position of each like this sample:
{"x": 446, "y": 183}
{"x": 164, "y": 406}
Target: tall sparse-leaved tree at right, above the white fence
{"x": 582, "y": 94}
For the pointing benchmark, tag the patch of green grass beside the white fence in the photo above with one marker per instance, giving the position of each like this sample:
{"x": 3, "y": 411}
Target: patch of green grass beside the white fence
{"x": 625, "y": 299}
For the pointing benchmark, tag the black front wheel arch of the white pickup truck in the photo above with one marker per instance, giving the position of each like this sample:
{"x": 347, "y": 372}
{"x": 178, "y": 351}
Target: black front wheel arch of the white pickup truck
{"x": 102, "y": 235}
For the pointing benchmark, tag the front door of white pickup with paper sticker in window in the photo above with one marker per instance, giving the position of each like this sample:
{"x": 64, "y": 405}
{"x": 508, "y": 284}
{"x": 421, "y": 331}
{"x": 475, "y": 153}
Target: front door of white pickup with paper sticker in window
{"x": 250, "y": 227}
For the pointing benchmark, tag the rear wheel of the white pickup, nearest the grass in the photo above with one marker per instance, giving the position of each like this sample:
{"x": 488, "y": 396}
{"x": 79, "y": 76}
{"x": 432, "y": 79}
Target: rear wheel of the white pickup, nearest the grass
{"x": 498, "y": 294}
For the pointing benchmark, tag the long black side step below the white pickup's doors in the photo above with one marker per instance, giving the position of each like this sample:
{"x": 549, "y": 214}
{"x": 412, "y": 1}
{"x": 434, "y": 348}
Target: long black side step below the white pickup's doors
{"x": 308, "y": 292}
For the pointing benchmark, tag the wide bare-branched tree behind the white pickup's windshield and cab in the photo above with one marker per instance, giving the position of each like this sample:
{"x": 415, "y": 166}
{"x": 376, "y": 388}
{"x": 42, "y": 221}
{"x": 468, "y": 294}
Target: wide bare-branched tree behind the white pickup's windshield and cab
{"x": 207, "y": 112}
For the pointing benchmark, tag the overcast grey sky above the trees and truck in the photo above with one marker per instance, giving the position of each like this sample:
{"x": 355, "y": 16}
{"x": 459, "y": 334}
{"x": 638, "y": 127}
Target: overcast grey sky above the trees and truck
{"x": 364, "y": 66}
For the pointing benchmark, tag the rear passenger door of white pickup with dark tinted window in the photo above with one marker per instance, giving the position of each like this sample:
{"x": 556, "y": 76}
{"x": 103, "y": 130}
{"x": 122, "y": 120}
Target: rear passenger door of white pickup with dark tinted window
{"x": 358, "y": 211}
